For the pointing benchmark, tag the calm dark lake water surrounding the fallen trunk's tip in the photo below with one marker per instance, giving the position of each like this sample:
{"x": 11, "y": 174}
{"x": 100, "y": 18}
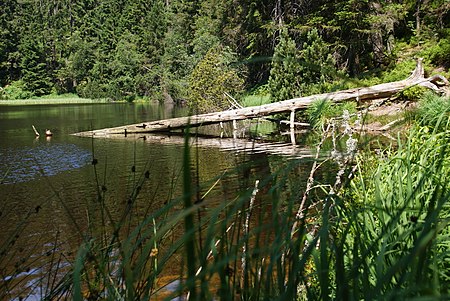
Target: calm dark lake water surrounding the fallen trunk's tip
{"x": 48, "y": 184}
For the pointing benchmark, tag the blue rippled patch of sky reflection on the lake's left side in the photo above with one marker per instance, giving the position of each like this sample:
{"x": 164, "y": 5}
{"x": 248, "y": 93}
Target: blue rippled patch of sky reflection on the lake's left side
{"x": 21, "y": 165}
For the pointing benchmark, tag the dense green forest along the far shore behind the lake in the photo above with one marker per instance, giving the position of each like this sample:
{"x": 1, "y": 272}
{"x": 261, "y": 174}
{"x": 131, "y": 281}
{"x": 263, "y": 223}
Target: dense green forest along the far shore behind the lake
{"x": 184, "y": 50}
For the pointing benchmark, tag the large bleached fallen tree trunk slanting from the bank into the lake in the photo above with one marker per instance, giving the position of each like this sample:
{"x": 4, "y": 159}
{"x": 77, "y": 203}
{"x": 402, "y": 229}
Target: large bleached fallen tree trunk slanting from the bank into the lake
{"x": 357, "y": 94}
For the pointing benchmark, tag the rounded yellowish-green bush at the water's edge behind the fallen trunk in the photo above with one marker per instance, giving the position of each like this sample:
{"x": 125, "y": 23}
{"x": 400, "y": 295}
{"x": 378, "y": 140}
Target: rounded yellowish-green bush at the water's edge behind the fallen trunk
{"x": 211, "y": 79}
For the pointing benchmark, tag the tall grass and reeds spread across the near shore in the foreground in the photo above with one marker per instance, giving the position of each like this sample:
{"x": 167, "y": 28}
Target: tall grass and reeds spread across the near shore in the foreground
{"x": 379, "y": 231}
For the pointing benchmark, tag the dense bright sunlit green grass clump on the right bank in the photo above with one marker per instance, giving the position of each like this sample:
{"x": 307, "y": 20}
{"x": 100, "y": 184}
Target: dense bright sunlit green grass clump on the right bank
{"x": 401, "y": 227}
